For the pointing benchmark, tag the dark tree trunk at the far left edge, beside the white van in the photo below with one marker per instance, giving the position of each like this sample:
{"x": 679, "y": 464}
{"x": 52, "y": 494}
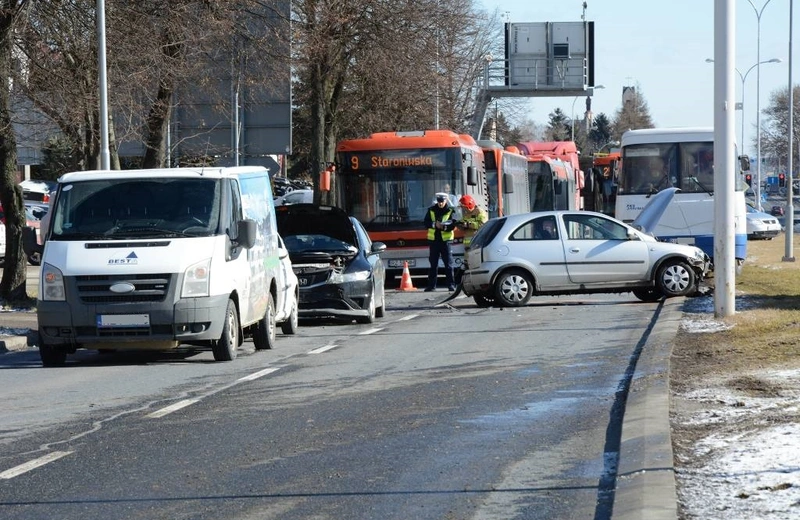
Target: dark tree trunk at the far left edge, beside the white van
{"x": 13, "y": 14}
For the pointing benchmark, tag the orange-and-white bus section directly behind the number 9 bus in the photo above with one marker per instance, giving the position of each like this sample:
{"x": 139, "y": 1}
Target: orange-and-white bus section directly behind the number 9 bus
{"x": 507, "y": 177}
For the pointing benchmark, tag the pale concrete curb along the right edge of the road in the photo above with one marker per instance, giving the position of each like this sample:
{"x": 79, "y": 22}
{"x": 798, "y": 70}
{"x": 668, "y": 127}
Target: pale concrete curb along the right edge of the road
{"x": 646, "y": 487}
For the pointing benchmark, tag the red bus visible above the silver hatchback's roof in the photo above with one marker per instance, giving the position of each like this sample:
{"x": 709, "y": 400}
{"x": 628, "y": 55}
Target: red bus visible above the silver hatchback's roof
{"x": 555, "y": 179}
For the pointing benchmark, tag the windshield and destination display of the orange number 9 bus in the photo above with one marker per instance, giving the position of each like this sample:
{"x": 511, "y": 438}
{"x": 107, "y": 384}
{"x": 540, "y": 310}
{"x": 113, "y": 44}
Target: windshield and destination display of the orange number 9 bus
{"x": 392, "y": 189}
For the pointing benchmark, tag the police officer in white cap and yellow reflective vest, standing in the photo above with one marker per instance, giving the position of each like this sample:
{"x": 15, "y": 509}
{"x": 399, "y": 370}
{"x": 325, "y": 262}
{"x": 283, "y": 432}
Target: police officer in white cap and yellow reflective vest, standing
{"x": 440, "y": 224}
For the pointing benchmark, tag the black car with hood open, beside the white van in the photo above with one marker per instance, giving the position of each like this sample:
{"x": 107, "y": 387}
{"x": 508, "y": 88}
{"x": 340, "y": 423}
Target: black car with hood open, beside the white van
{"x": 339, "y": 269}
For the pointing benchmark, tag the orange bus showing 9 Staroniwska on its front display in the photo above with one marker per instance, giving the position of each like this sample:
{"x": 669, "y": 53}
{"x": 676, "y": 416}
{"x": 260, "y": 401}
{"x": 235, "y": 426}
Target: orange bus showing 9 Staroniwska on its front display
{"x": 390, "y": 179}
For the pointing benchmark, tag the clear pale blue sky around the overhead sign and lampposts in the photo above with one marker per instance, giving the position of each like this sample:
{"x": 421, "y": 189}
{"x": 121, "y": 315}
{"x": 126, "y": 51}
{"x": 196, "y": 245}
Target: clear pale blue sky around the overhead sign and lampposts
{"x": 662, "y": 46}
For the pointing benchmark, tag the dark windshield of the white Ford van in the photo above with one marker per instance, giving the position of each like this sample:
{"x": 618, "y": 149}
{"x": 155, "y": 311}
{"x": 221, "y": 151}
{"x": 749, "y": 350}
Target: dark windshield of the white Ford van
{"x": 136, "y": 208}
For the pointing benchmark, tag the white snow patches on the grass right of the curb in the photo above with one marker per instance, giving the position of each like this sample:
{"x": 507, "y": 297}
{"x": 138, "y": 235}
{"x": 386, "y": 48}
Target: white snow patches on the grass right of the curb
{"x": 750, "y": 474}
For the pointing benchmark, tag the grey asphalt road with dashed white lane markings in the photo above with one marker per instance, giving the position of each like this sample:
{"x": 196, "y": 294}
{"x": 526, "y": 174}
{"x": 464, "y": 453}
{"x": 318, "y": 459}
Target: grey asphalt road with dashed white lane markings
{"x": 433, "y": 412}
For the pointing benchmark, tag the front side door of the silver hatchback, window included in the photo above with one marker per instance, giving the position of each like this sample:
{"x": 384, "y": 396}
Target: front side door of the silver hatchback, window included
{"x": 599, "y": 251}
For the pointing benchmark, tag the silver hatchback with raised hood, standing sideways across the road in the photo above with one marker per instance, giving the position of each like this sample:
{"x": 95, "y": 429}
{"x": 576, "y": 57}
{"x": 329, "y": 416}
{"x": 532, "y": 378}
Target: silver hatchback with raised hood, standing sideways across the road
{"x": 510, "y": 259}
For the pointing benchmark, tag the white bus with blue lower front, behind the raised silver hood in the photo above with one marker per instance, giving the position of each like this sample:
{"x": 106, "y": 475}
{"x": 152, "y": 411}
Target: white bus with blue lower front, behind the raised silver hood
{"x": 654, "y": 159}
